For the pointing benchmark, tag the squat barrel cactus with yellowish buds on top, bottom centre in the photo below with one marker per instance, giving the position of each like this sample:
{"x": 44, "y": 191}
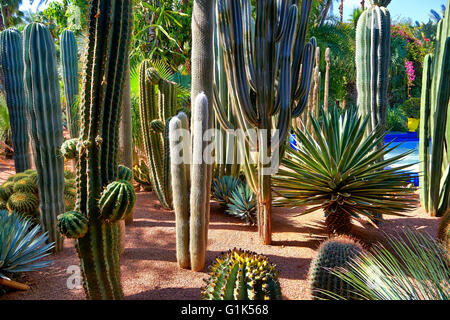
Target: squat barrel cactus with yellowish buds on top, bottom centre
{"x": 242, "y": 275}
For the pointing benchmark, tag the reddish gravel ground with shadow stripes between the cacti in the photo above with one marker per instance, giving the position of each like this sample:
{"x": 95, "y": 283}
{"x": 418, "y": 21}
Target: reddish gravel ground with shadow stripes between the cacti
{"x": 148, "y": 264}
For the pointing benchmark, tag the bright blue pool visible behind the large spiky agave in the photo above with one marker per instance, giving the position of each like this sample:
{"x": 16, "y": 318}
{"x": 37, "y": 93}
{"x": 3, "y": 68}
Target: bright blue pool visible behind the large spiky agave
{"x": 405, "y": 142}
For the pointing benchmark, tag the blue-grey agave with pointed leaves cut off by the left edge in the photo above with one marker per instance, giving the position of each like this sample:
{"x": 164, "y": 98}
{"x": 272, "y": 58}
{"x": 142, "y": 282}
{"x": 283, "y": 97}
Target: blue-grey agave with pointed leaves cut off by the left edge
{"x": 22, "y": 245}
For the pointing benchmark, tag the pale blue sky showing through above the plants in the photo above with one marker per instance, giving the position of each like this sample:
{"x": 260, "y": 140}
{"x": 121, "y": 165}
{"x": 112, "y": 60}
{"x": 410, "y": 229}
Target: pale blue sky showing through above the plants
{"x": 400, "y": 9}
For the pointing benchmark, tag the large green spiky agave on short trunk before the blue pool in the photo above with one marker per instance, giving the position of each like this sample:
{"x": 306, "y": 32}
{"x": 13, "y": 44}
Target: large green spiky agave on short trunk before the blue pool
{"x": 338, "y": 169}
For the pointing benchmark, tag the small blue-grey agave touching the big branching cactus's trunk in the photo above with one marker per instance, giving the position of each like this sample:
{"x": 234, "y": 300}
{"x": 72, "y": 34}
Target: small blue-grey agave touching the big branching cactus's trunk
{"x": 243, "y": 204}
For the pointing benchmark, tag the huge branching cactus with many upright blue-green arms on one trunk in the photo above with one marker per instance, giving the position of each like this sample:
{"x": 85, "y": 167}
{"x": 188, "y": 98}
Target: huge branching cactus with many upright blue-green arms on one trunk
{"x": 268, "y": 67}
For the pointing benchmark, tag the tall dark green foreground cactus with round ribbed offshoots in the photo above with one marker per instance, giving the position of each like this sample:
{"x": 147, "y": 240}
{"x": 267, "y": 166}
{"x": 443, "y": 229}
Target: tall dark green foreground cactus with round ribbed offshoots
{"x": 102, "y": 200}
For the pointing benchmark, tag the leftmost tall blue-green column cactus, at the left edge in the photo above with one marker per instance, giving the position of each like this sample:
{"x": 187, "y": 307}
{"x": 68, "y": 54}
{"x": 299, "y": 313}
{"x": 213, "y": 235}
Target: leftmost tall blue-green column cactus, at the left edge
{"x": 11, "y": 59}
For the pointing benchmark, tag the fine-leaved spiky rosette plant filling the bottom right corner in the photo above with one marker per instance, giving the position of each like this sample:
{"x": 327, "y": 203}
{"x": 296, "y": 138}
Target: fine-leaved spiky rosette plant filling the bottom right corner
{"x": 418, "y": 268}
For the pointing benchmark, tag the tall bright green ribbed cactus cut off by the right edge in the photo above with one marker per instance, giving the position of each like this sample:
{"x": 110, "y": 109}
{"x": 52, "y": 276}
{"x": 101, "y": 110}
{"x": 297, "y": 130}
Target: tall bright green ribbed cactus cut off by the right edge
{"x": 434, "y": 124}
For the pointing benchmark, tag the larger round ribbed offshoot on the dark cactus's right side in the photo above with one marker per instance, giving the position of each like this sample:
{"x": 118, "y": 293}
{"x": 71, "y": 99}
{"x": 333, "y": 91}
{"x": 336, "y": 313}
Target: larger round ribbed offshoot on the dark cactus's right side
{"x": 117, "y": 201}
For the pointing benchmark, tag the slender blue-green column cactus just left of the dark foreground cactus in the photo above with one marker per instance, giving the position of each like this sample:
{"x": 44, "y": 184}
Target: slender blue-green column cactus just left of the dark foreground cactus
{"x": 69, "y": 62}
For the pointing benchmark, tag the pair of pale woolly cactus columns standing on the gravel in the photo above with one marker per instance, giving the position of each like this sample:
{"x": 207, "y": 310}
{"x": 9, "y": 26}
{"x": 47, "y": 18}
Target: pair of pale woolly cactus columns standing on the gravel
{"x": 189, "y": 182}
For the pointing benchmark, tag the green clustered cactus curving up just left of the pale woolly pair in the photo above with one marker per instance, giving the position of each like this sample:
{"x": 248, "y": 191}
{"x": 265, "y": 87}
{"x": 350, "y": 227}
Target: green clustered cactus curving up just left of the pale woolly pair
{"x": 157, "y": 104}
